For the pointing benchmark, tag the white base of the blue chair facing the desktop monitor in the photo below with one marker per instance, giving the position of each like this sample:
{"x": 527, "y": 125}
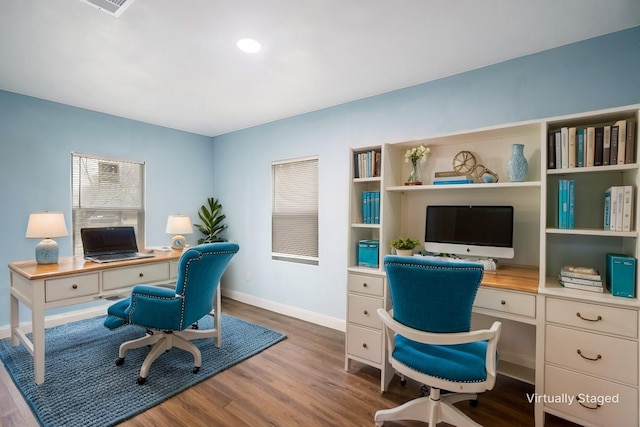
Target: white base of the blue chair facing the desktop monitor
{"x": 433, "y": 409}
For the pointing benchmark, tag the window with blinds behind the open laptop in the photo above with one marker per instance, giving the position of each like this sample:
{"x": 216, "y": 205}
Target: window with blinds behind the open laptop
{"x": 106, "y": 193}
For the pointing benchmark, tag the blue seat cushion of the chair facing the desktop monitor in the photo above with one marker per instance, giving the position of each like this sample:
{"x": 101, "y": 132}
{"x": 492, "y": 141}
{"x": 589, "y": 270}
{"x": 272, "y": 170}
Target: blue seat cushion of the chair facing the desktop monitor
{"x": 460, "y": 362}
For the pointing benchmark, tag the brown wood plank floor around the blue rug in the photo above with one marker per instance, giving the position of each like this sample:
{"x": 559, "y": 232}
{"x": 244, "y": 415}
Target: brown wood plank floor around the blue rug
{"x": 300, "y": 381}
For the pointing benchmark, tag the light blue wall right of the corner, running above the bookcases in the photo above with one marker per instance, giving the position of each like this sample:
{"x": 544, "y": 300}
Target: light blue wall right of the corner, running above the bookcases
{"x": 594, "y": 74}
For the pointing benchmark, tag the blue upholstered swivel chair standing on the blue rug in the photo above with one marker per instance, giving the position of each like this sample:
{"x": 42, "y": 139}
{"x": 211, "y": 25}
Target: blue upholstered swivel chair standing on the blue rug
{"x": 170, "y": 316}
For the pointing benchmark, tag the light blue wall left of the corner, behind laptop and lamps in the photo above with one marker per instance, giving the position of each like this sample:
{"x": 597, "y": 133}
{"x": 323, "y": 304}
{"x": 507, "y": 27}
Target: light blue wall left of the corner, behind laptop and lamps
{"x": 37, "y": 138}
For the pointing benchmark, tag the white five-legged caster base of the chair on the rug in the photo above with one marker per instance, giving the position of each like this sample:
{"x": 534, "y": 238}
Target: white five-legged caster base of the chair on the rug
{"x": 163, "y": 341}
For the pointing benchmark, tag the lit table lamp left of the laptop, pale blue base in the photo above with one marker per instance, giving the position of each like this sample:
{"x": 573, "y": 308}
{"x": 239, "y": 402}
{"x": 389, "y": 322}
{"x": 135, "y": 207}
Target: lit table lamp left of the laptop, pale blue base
{"x": 45, "y": 225}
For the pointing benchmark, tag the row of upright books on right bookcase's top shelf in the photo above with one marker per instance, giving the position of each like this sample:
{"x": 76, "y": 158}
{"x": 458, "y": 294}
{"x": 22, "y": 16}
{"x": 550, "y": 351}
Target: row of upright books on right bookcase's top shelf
{"x": 598, "y": 145}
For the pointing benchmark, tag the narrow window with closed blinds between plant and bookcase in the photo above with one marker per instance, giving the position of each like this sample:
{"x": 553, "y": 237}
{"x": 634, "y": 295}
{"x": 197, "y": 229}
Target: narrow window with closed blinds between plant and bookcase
{"x": 294, "y": 216}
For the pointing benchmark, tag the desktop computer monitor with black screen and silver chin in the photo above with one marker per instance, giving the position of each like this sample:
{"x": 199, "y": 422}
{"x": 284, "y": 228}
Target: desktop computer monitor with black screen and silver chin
{"x": 470, "y": 231}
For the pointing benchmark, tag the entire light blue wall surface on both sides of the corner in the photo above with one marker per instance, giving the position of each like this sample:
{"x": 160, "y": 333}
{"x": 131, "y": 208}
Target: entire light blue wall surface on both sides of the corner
{"x": 37, "y": 137}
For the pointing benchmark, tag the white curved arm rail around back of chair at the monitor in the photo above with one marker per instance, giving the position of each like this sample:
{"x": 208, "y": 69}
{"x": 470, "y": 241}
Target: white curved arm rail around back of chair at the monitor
{"x": 436, "y": 338}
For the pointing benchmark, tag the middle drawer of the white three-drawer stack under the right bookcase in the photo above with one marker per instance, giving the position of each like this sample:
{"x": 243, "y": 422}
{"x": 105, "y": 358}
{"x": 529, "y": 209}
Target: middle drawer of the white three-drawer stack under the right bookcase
{"x": 595, "y": 354}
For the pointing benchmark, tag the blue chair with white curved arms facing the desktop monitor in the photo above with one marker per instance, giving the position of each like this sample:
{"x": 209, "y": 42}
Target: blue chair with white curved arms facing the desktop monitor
{"x": 429, "y": 338}
